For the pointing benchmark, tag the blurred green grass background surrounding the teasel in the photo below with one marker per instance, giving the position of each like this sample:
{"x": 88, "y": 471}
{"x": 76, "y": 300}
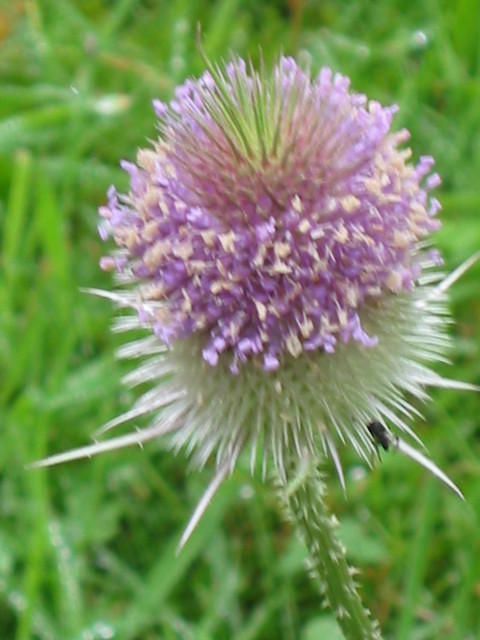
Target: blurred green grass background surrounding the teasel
{"x": 87, "y": 550}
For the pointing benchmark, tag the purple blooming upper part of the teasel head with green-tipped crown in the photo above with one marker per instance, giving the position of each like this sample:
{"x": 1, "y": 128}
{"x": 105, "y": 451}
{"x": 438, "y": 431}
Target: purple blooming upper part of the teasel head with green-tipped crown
{"x": 270, "y": 211}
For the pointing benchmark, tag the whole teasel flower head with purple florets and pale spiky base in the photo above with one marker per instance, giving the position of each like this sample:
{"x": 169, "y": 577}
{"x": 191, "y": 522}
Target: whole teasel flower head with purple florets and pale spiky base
{"x": 274, "y": 244}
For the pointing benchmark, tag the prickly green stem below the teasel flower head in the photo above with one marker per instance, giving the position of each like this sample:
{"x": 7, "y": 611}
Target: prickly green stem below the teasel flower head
{"x": 304, "y": 498}
